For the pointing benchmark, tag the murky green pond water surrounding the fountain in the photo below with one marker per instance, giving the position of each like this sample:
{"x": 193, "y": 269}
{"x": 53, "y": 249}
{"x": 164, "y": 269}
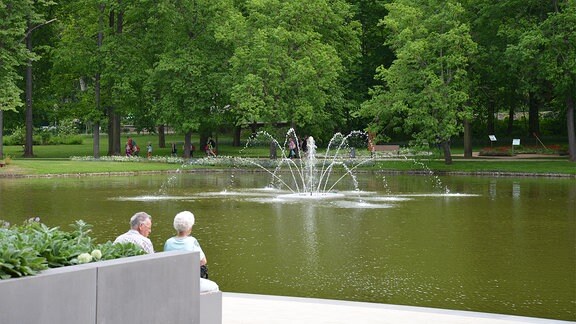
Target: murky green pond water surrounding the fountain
{"x": 490, "y": 244}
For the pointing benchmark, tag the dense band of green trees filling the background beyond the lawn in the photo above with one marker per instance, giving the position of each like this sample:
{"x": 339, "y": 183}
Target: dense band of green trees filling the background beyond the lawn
{"x": 427, "y": 72}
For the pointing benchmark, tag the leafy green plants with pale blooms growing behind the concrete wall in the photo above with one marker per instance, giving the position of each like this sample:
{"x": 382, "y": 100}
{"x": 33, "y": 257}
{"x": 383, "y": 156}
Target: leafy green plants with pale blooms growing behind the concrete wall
{"x": 25, "y": 250}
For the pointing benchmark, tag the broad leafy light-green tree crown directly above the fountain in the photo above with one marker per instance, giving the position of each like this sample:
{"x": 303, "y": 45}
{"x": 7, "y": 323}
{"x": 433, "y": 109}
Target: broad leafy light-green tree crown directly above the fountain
{"x": 289, "y": 62}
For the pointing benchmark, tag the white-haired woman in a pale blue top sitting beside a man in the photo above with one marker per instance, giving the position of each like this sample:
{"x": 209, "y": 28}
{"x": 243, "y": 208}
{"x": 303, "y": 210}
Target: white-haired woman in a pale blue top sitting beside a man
{"x": 183, "y": 223}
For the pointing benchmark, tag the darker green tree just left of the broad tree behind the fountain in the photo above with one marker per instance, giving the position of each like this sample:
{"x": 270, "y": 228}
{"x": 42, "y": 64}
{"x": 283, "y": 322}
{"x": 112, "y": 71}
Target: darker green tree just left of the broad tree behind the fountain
{"x": 185, "y": 85}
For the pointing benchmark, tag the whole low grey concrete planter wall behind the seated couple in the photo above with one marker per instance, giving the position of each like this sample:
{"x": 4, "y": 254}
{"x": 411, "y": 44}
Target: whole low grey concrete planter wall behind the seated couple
{"x": 155, "y": 288}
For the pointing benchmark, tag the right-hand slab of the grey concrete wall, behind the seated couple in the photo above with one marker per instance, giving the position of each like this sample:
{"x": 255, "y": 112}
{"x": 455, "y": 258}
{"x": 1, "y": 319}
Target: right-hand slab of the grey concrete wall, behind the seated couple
{"x": 157, "y": 288}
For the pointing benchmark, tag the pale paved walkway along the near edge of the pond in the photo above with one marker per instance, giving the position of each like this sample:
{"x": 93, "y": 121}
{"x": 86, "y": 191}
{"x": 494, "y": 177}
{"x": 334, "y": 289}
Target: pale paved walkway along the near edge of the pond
{"x": 261, "y": 309}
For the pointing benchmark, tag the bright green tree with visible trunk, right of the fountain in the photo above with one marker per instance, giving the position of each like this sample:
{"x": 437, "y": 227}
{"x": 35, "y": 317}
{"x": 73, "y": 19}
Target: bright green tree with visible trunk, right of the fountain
{"x": 426, "y": 89}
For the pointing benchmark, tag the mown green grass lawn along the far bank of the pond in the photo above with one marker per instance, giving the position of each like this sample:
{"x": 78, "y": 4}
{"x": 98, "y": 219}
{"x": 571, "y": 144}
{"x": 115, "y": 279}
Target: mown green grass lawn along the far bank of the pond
{"x": 55, "y": 159}
